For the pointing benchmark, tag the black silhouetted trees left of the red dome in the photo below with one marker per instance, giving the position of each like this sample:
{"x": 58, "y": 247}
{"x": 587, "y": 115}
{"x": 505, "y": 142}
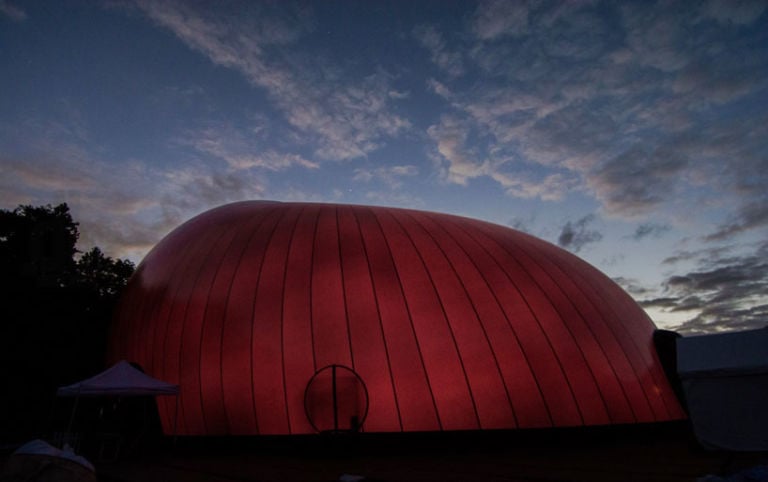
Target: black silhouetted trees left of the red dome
{"x": 55, "y": 309}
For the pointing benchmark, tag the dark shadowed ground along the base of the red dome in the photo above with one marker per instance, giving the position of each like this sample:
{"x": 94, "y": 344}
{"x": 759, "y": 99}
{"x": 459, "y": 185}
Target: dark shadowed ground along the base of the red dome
{"x": 650, "y": 453}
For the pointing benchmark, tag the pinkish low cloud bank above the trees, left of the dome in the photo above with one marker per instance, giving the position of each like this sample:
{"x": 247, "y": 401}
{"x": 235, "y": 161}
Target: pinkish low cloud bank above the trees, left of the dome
{"x": 118, "y": 210}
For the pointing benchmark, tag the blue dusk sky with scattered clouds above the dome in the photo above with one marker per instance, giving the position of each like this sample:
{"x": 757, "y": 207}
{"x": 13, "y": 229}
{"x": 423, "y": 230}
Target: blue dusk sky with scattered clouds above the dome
{"x": 632, "y": 134}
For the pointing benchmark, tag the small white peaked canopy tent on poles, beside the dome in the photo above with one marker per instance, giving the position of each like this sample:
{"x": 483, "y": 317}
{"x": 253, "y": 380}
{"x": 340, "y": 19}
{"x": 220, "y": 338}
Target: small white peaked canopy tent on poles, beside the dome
{"x": 120, "y": 380}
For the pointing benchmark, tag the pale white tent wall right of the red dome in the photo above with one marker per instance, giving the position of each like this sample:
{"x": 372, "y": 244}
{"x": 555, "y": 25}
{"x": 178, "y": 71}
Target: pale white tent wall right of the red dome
{"x": 725, "y": 381}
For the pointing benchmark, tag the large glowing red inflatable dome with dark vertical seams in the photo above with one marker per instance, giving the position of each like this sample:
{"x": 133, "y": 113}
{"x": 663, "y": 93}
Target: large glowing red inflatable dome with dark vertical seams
{"x": 292, "y": 318}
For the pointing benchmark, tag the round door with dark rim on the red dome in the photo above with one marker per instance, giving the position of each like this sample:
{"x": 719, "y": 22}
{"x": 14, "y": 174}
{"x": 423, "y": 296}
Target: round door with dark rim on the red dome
{"x": 336, "y": 400}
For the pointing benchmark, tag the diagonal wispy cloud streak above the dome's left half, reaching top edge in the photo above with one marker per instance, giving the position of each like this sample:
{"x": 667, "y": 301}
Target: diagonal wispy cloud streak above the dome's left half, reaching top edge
{"x": 344, "y": 119}
